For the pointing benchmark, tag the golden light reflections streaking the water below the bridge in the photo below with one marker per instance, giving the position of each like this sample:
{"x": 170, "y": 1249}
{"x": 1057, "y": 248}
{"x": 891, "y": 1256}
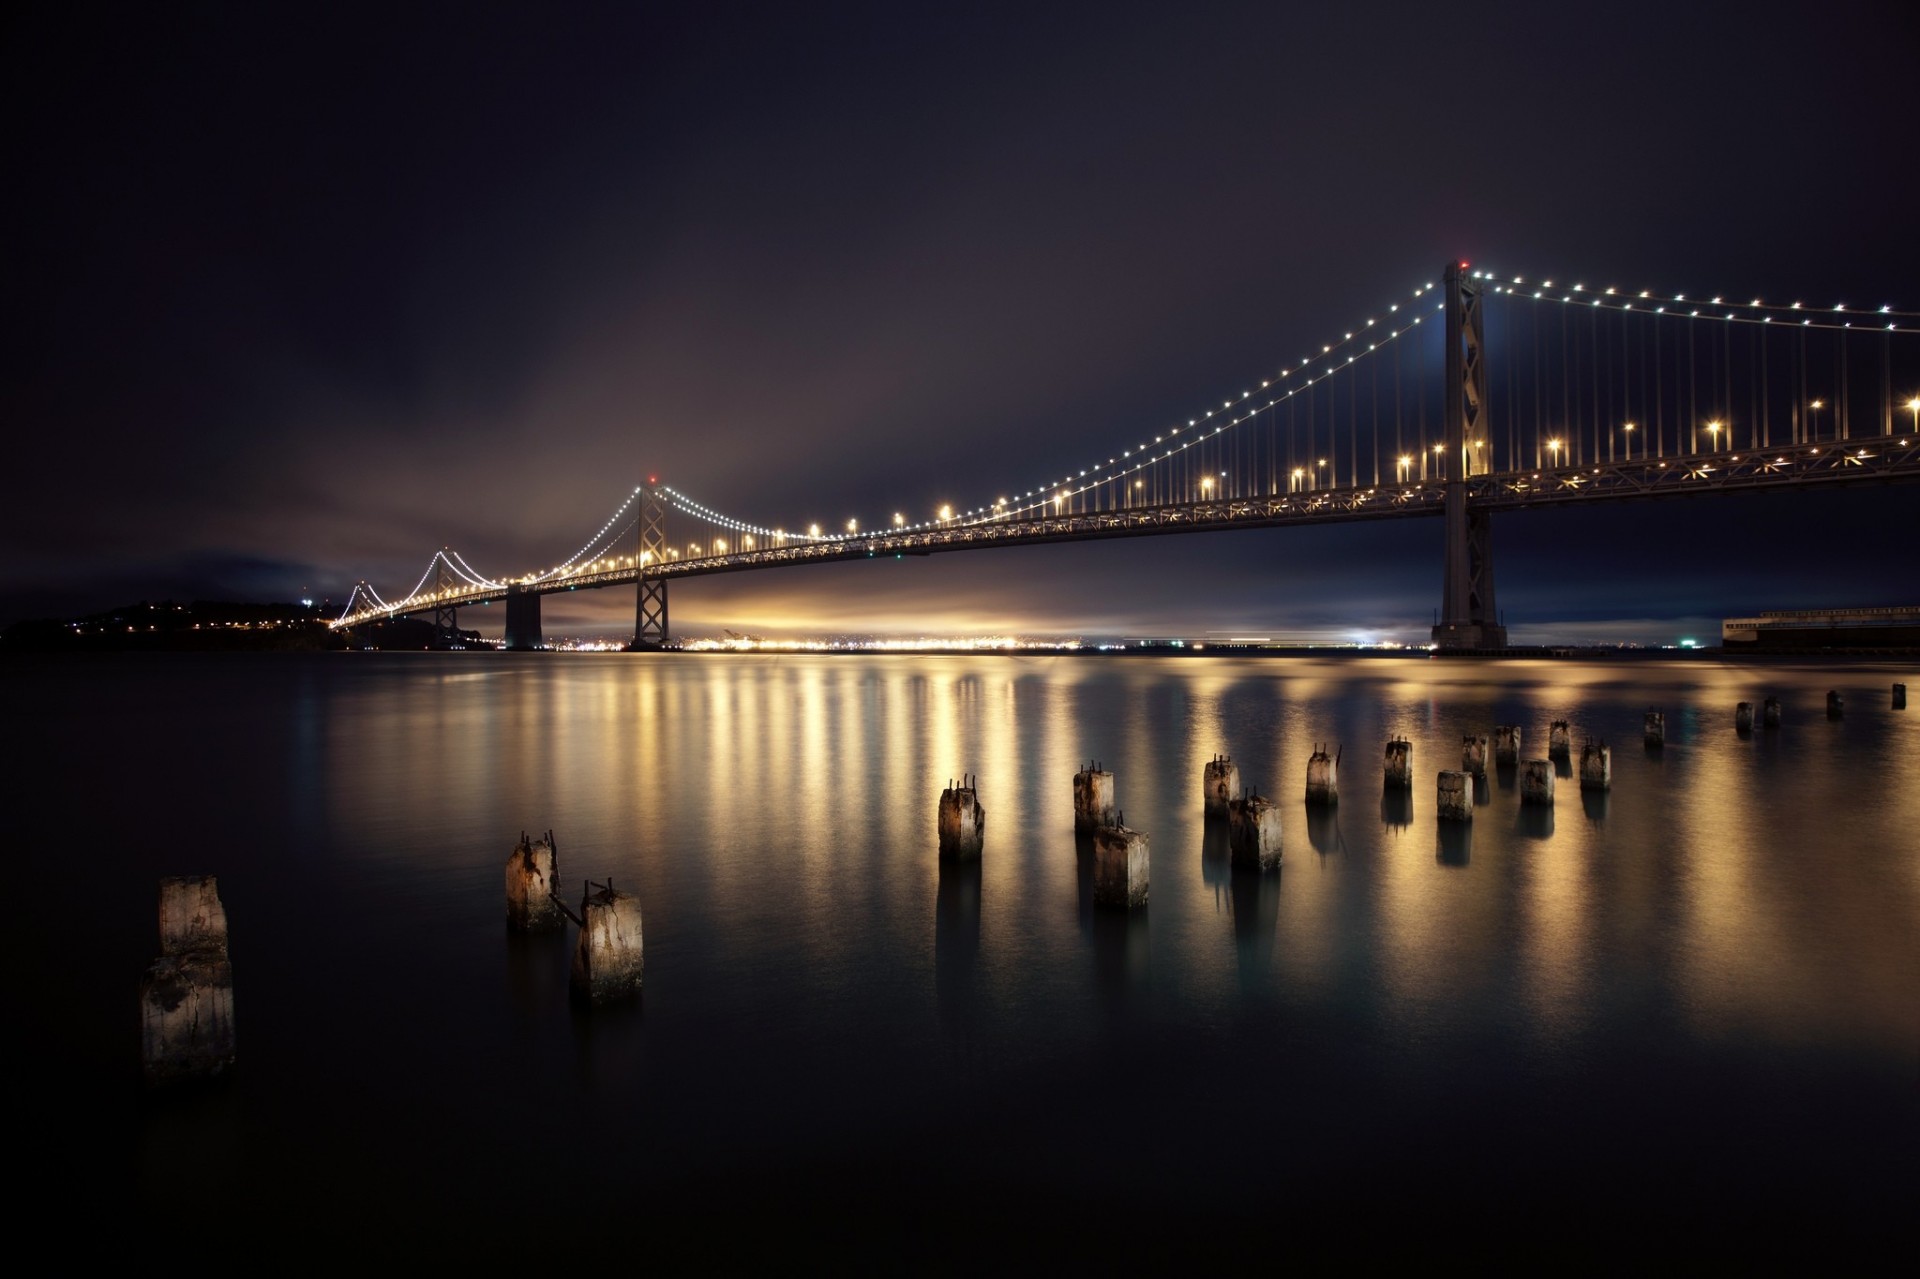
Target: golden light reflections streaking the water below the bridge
{"x": 777, "y": 813}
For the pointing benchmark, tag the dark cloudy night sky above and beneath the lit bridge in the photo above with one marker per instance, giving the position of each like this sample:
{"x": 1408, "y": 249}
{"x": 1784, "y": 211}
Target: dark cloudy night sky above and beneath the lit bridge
{"x": 302, "y": 293}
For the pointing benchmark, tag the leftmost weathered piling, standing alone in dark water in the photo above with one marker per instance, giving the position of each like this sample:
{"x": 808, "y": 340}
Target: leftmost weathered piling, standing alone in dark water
{"x": 187, "y": 996}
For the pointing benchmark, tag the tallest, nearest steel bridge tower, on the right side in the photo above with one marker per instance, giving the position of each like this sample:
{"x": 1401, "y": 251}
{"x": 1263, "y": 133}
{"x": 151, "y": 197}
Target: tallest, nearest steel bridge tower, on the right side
{"x": 1468, "y": 614}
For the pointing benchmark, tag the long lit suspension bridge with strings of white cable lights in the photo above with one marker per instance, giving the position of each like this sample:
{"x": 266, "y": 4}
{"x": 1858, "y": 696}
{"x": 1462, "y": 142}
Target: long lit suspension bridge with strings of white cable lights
{"x": 1468, "y": 397}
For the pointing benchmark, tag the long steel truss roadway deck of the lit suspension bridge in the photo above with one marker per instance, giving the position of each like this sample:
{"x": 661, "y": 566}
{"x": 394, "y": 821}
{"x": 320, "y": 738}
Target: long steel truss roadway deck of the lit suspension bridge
{"x": 1875, "y": 460}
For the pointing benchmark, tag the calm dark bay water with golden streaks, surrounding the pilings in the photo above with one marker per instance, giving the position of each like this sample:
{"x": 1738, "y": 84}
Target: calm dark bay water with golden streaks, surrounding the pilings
{"x": 1683, "y": 1017}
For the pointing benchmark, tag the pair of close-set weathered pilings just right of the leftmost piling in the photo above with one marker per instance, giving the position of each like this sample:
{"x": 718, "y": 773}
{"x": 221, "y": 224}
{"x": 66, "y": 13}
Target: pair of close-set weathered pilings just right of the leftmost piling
{"x": 610, "y": 955}
